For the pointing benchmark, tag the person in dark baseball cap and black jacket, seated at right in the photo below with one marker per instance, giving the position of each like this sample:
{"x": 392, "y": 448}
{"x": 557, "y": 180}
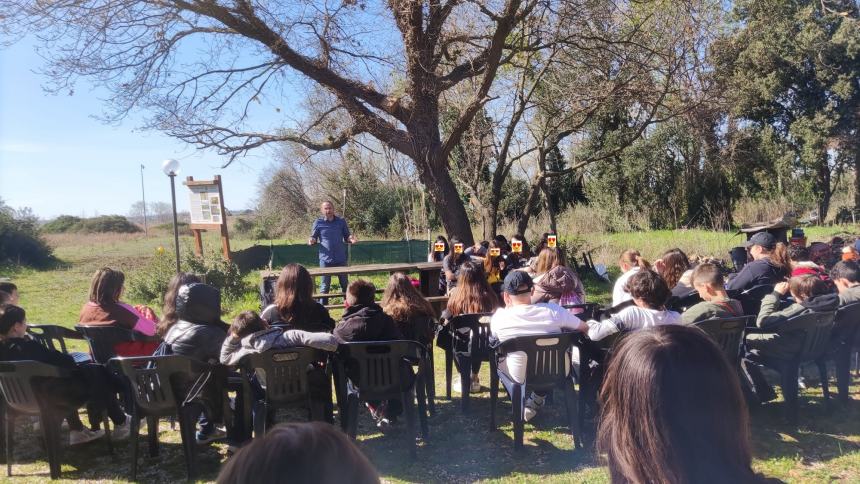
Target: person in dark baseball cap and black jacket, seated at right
{"x": 769, "y": 266}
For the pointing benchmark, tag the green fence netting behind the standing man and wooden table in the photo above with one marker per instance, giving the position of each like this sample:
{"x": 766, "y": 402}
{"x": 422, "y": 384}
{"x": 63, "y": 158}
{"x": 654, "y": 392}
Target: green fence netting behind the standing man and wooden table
{"x": 365, "y": 252}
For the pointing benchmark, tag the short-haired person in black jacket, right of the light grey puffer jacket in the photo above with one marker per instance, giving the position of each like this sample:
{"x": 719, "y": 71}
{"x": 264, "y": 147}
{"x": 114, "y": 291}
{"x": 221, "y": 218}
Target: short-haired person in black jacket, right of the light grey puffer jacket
{"x": 364, "y": 320}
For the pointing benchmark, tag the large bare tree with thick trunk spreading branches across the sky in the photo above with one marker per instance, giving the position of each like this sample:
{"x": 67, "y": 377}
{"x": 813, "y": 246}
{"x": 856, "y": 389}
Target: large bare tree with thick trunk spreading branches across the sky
{"x": 203, "y": 68}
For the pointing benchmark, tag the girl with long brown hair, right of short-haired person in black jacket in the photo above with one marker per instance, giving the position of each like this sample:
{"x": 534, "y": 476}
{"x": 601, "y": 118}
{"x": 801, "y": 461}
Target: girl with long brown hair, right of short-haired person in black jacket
{"x": 411, "y": 312}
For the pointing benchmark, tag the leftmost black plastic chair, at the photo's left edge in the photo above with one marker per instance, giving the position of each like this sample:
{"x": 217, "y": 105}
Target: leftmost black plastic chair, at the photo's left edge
{"x": 17, "y": 380}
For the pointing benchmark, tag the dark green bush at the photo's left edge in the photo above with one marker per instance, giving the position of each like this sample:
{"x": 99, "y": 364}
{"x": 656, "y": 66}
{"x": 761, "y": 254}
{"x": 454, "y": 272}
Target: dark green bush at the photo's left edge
{"x": 20, "y": 242}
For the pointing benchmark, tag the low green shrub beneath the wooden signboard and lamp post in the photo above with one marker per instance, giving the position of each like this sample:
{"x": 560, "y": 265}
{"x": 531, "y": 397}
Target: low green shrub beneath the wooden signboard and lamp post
{"x": 149, "y": 283}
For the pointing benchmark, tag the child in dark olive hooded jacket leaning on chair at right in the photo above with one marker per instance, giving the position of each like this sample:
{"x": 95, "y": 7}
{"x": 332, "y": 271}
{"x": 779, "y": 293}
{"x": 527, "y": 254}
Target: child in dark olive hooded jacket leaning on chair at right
{"x": 811, "y": 294}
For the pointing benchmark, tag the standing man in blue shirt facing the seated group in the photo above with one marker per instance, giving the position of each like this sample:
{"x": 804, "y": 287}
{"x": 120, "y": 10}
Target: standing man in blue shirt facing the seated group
{"x": 332, "y": 234}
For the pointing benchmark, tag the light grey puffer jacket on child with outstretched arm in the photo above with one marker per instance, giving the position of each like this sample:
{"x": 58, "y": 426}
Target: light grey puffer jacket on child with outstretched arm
{"x": 233, "y": 349}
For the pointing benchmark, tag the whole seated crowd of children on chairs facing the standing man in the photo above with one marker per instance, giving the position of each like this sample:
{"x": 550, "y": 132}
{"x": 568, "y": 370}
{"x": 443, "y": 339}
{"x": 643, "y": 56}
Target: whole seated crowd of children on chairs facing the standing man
{"x": 646, "y": 428}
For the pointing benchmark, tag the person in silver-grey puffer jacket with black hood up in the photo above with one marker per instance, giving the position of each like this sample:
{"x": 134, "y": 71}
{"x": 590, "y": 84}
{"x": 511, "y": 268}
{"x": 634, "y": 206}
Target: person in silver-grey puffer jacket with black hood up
{"x": 199, "y": 334}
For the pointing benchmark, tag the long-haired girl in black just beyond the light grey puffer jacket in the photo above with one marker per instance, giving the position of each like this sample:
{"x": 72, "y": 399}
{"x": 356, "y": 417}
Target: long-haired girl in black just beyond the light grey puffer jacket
{"x": 295, "y": 307}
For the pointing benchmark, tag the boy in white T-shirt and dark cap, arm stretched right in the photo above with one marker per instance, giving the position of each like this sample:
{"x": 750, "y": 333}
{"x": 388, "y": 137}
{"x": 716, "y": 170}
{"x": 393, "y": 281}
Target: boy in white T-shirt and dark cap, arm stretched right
{"x": 520, "y": 317}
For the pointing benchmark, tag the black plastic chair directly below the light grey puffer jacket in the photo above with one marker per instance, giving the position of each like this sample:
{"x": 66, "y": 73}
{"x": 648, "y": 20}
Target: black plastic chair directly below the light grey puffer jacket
{"x": 285, "y": 374}
